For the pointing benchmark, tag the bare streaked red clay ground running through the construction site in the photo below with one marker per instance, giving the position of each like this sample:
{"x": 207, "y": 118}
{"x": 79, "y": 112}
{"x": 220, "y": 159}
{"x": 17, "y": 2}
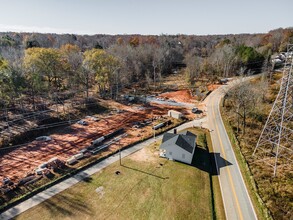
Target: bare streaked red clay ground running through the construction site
{"x": 16, "y": 163}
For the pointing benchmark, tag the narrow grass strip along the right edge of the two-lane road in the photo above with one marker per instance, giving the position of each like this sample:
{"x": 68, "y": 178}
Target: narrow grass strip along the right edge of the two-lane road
{"x": 259, "y": 206}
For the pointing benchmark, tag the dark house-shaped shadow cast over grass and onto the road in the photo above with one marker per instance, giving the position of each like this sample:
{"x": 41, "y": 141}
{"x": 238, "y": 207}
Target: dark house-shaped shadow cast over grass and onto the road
{"x": 209, "y": 162}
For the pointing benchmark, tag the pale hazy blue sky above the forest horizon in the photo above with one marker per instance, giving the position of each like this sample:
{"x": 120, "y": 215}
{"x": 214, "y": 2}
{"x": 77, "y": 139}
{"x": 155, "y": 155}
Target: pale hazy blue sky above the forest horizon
{"x": 145, "y": 16}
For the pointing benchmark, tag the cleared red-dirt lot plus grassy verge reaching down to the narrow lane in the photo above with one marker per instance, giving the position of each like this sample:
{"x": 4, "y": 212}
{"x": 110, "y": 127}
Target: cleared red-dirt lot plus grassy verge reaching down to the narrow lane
{"x": 18, "y": 164}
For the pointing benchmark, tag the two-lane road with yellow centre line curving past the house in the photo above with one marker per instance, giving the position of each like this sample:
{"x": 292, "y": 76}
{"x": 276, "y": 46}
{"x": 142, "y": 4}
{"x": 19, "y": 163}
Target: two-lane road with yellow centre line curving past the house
{"x": 237, "y": 202}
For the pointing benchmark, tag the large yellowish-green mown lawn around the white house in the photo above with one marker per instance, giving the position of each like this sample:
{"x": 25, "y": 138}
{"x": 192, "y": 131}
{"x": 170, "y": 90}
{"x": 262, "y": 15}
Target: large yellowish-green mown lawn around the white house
{"x": 148, "y": 187}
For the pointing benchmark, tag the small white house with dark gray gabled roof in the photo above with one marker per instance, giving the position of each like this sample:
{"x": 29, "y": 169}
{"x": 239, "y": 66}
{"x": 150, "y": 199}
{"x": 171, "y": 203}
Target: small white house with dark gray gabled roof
{"x": 179, "y": 146}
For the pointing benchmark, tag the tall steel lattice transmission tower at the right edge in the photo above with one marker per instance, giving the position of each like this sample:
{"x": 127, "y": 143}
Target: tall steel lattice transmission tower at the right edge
{"x": 276, "y": 140}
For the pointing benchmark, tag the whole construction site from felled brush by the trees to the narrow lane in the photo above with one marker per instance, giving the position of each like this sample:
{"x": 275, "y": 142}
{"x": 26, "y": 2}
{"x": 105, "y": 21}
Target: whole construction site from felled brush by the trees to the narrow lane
{"x": 45, "y": 151}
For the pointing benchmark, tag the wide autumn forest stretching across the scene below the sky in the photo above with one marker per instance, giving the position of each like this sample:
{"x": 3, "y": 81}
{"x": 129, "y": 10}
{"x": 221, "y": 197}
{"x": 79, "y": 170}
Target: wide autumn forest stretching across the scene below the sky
{"x": 34, "y": 64}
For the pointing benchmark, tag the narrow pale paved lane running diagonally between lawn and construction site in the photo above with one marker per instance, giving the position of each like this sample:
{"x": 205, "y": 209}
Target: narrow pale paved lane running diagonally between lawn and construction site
{"x": 42, "y": 196}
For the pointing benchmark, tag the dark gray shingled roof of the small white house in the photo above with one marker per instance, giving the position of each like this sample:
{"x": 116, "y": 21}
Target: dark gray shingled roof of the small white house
{"x": 185, "y": 140}
